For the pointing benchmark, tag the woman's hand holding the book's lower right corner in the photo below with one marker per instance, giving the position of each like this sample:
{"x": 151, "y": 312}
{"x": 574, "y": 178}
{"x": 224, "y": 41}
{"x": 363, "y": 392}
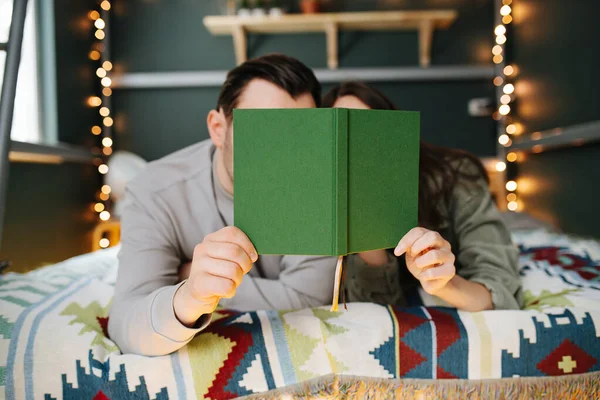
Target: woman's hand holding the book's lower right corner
{"x": 428, "y": 257}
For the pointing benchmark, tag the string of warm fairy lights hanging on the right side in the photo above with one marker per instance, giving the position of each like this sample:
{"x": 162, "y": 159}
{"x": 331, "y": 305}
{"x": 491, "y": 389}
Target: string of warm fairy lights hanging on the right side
{"x": 505, "y": 92}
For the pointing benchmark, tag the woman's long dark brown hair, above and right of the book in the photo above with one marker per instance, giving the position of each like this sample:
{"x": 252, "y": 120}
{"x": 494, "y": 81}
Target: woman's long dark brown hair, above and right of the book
{"x": 439, "y": 168}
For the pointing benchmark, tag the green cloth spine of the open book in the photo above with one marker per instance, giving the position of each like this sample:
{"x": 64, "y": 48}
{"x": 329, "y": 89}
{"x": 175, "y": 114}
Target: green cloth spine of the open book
{"x": 341, "y": 181}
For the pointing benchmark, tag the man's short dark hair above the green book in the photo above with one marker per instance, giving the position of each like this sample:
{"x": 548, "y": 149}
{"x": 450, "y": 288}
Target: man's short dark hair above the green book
{"x": 285, "y": 72}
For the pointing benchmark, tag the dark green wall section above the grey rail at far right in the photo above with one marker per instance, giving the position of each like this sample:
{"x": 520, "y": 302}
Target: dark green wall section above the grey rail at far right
{"x": 557, "y": 51}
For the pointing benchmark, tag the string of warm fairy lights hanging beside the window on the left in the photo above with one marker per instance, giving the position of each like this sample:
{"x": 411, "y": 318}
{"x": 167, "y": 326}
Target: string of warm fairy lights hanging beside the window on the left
{"x": 99, "y": 53}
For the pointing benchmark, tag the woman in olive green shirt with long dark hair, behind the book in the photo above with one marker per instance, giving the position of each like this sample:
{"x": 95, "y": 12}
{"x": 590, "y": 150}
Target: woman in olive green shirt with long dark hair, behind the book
{"x": 461, "y": 252}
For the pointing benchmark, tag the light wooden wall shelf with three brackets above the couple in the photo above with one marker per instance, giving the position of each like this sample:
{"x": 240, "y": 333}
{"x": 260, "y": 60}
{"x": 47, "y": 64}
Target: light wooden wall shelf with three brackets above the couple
{"x": 424, "y": 22}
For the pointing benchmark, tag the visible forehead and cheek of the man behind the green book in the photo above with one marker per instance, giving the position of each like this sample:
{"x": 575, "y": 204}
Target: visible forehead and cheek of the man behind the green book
{"x": 261, "y": 94}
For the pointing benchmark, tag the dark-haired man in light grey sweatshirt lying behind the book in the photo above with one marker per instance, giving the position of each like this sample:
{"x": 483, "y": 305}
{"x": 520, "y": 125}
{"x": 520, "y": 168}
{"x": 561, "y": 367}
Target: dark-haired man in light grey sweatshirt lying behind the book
{"x": 180, "y": 211}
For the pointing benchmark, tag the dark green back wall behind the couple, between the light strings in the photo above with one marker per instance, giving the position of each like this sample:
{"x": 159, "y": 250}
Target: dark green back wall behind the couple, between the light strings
{"x": 165, "y": 36}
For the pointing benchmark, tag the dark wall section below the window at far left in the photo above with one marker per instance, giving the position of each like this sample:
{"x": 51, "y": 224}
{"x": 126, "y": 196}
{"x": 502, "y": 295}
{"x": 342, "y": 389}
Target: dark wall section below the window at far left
{"x": 47, "y": 213}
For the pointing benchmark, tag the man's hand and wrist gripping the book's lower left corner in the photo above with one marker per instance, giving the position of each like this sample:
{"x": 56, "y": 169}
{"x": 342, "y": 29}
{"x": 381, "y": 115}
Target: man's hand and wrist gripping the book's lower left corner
{"x": 218, "y": 265}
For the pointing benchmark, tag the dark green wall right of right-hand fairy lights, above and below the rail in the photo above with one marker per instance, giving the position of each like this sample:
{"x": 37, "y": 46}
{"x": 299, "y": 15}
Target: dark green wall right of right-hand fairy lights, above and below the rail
{"x": 557, "y": 52}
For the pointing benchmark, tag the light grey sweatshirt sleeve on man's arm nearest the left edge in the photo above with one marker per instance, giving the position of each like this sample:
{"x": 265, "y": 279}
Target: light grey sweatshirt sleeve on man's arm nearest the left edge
{"x": 142, "y": 318}
